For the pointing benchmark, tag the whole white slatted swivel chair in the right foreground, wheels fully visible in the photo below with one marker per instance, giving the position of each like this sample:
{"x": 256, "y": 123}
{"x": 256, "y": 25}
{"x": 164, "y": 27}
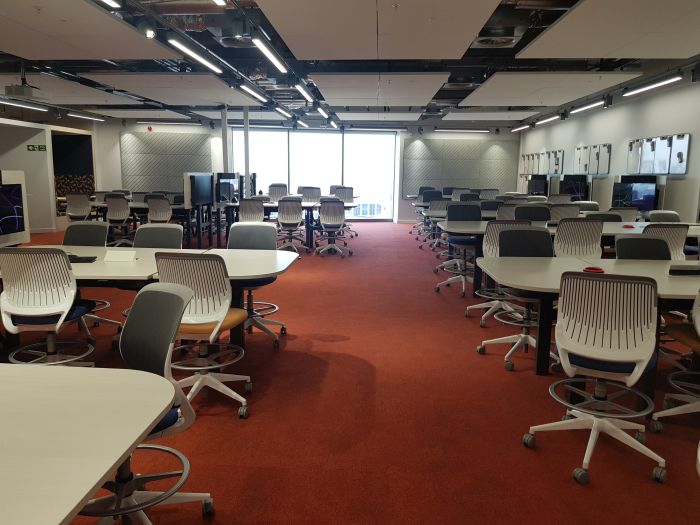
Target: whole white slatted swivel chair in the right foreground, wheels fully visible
{"x": 613, "y": 359}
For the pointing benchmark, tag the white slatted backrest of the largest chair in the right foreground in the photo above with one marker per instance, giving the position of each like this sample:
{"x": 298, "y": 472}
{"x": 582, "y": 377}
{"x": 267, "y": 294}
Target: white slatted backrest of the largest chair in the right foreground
{"x": 609, "y": 318}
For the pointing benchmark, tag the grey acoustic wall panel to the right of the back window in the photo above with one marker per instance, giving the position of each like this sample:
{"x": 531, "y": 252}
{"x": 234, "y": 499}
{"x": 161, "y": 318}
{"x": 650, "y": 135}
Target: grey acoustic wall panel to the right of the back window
{"x": 460, "y": 163}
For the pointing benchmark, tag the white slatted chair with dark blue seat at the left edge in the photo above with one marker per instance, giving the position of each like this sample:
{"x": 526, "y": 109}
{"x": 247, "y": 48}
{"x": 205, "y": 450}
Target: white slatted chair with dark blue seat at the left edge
{"x": 40, "y": 295}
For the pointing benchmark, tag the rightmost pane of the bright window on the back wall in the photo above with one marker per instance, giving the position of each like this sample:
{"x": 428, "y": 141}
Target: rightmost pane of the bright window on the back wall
{"x": 369, "y": 169}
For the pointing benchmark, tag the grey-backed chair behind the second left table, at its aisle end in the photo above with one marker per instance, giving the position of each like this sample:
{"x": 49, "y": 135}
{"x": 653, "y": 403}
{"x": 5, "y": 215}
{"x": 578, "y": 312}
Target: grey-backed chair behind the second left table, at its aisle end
{"x": 257, "y": 236}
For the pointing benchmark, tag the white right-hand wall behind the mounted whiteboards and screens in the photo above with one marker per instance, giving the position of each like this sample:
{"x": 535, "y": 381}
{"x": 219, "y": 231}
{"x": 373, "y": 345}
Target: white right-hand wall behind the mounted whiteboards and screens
{"x": 669, "y": 111}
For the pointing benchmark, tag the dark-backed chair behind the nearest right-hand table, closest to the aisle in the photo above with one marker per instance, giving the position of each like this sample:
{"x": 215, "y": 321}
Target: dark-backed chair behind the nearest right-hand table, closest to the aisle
{"x": 528, "y": 241}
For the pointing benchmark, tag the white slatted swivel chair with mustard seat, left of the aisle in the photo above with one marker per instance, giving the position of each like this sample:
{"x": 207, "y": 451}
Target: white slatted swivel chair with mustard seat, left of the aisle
{"x": 207, "y": 317}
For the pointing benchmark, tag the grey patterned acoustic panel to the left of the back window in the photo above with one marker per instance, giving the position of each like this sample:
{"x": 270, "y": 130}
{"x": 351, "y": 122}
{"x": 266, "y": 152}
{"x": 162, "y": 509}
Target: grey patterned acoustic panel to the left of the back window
{"x": 156, "y": 161}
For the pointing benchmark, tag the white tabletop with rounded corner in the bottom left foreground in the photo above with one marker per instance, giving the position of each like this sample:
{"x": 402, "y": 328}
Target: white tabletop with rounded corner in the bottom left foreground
{"x": 64, "y": 432}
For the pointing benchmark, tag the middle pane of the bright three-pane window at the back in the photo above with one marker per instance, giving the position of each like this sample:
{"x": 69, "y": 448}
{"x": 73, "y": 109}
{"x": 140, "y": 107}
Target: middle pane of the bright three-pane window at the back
{"x": 315, "y": 159}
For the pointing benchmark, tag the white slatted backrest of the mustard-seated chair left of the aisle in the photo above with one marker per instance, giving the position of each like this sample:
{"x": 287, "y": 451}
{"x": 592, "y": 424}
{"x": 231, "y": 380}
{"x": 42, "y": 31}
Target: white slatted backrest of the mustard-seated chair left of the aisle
{"x": 205, "y": 274}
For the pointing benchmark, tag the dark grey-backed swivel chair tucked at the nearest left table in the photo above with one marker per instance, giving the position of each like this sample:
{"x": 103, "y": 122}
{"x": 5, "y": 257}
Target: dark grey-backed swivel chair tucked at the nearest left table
{"x": 146, "y": 344}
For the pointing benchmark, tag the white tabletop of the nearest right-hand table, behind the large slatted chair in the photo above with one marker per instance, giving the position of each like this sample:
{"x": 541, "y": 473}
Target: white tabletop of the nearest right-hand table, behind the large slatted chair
{"x": 543, "y": 274}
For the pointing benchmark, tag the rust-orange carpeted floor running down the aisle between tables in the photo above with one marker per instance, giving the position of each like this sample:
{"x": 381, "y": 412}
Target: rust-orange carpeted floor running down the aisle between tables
{"x": 377, "y": 409}
